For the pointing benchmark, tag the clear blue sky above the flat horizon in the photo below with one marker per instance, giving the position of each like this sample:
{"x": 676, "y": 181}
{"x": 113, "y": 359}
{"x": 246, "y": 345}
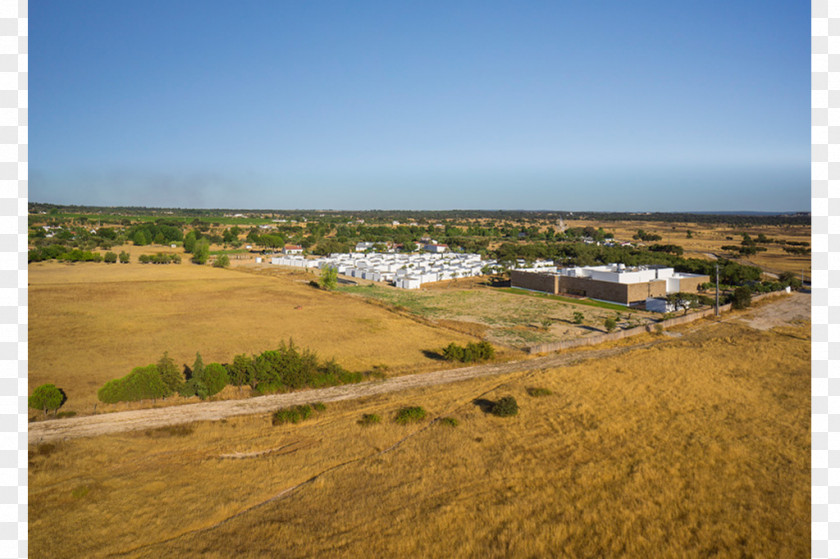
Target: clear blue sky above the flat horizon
{"x": 603, "y": 105}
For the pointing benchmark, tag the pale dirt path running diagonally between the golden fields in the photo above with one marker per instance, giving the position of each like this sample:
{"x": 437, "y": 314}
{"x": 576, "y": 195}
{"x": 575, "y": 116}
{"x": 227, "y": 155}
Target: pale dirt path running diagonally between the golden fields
{"x": 787, "y": 309}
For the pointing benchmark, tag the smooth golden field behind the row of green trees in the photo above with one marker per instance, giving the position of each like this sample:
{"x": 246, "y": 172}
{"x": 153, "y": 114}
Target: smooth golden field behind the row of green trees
{"x": 92, "y": 322}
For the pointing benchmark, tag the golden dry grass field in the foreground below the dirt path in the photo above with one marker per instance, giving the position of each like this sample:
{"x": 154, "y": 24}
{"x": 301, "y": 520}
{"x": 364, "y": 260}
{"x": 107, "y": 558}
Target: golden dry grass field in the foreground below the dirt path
{"x": 695, "y": 447}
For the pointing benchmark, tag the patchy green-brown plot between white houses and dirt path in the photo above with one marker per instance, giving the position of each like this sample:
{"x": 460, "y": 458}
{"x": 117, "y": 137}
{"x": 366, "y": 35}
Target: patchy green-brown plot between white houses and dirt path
{"x": 502, "y": 317}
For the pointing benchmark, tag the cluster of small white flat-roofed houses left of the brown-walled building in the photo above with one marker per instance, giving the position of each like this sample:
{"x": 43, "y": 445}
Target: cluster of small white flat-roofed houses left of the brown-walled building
{"x": 407, "y": 271}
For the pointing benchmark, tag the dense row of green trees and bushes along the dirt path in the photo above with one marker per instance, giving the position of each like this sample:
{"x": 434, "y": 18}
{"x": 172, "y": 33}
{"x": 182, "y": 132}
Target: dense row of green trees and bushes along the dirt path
{"x": 285, "y": 368}
